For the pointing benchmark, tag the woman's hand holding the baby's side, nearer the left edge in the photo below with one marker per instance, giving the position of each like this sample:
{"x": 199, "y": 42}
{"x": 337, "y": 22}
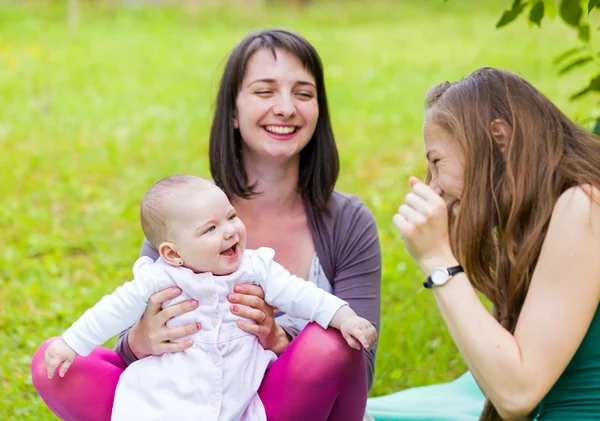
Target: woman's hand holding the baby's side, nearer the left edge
{"x": 151, "y": 336}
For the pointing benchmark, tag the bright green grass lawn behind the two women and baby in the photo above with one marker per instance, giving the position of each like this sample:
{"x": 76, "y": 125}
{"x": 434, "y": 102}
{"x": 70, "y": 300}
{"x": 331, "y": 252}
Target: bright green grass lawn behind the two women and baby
{"x": 90, "y": 119}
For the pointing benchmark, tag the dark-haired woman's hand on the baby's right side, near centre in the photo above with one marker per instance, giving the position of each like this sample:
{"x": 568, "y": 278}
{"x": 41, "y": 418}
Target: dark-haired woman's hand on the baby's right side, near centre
{"x": 270, "y": 335}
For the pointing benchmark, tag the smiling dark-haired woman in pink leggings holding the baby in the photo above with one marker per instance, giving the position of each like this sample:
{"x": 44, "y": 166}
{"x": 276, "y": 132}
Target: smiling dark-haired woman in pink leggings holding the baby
{"x": 273, "y": 152}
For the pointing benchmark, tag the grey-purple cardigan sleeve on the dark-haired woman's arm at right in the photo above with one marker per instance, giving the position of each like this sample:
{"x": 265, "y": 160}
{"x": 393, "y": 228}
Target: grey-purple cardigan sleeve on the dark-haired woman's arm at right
{"x": 357, "y": 277}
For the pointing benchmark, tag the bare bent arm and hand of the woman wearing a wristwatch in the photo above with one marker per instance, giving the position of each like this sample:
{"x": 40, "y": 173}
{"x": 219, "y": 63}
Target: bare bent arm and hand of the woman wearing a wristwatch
{"x": 516, "y": 371}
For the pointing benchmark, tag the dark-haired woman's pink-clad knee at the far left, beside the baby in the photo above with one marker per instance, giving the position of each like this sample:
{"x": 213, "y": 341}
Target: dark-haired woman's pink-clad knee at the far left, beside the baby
{"x": 87, "y": 391}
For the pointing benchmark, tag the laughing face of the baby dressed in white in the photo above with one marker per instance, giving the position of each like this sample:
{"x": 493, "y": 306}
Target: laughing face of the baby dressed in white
{"x": 207, "y": 232}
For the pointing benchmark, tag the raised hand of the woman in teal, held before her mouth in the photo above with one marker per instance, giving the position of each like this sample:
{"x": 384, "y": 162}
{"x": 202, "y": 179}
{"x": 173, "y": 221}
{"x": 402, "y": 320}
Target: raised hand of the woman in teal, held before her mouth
{"x": 423, "y": 223}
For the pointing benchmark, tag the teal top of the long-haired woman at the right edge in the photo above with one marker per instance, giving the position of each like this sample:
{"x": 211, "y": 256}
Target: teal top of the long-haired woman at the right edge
{"x": 576, "y": 394}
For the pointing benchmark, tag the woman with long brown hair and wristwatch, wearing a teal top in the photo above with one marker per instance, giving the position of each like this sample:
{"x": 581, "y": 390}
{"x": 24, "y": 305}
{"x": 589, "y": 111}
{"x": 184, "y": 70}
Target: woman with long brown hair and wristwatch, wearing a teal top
{"x": 512, "y": 210}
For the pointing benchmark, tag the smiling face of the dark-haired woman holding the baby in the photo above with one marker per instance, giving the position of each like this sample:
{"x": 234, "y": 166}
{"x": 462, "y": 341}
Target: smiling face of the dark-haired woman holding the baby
{"x": 276, "y": 108}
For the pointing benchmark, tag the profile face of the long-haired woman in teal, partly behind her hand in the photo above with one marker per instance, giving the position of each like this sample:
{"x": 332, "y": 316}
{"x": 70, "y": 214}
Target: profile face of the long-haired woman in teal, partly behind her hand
{"x": 446, "y": 163}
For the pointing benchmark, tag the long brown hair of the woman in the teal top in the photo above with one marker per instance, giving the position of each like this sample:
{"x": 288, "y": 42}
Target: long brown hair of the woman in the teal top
{"x": 509, "y": 193}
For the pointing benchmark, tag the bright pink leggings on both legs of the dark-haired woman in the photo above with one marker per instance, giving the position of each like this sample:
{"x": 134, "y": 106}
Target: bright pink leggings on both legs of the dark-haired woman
{"x": 318, "y": 378}
